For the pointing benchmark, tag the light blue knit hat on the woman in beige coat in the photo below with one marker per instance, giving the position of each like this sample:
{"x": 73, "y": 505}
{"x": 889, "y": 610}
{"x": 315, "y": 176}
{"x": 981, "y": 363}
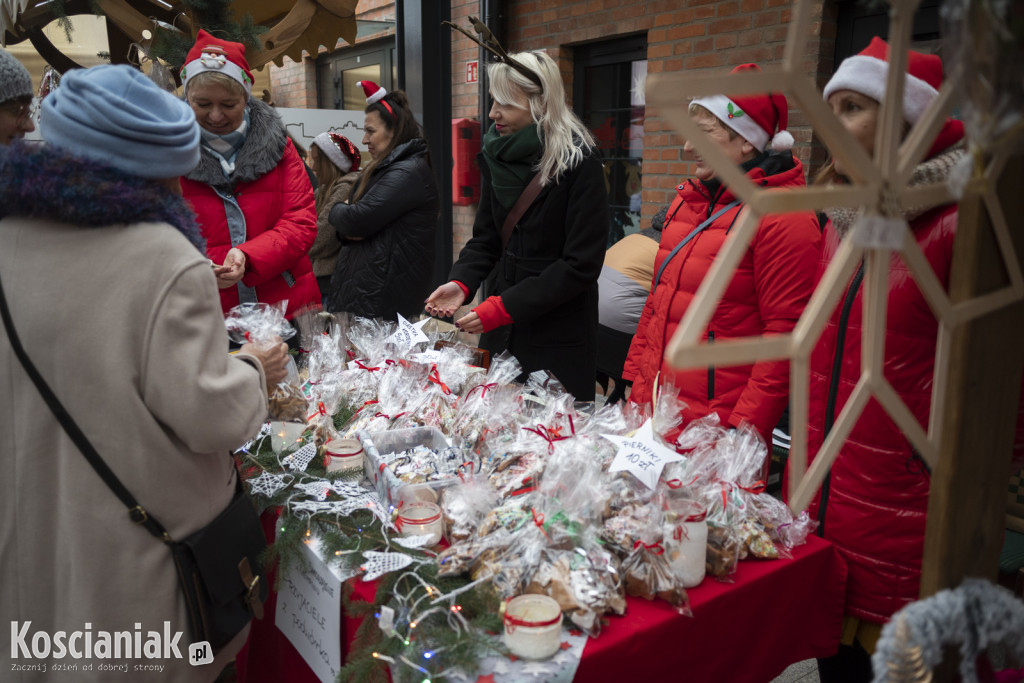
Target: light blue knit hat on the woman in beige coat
{"x": 117, "y": 116}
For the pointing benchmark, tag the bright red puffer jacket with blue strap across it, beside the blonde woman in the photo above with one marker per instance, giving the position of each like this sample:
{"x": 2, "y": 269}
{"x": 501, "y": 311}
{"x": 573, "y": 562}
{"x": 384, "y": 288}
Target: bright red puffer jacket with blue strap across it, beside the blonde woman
{"x": 769, "y": 292}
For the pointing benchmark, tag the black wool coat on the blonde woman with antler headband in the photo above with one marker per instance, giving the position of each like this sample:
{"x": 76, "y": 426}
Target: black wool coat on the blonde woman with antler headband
{"x": 547, "y": 278}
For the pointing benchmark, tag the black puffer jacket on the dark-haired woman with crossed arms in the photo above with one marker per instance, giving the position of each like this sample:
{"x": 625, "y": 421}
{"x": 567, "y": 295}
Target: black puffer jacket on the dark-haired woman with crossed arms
{"x": 388, "y": 239}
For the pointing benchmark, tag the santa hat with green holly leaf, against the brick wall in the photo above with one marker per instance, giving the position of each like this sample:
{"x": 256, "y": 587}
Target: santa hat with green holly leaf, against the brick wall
{"x": 755, "y": 118}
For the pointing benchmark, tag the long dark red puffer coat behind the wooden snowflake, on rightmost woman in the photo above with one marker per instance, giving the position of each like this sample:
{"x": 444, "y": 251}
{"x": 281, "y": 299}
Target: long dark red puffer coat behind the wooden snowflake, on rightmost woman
{"x": 876, "y": 497}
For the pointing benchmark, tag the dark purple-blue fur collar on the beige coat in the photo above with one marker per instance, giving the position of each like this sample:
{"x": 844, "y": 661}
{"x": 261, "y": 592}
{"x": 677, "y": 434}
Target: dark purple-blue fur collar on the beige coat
{"x": 39, "y": 181}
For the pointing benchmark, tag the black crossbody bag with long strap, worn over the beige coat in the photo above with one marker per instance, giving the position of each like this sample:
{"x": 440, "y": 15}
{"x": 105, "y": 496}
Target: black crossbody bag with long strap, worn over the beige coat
{"x": 220, "y": 569}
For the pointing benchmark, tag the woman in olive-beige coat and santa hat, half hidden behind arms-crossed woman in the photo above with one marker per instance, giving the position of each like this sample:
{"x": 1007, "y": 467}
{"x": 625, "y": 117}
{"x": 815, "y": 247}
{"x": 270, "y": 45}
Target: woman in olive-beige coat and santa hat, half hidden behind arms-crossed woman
{"x": 336, "y": 164}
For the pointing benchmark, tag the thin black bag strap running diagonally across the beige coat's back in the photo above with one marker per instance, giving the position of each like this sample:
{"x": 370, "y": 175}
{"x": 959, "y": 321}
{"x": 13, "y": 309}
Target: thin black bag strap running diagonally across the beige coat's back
{"x": 136, "y": 511}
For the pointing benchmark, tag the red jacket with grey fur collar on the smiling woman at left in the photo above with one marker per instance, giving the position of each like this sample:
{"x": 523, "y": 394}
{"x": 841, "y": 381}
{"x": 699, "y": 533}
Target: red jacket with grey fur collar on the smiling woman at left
{"x": 274, "y": 194}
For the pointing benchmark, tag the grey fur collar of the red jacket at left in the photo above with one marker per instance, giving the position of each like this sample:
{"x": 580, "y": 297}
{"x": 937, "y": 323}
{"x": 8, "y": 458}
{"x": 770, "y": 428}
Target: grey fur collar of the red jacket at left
{"x": 263, "y": 150}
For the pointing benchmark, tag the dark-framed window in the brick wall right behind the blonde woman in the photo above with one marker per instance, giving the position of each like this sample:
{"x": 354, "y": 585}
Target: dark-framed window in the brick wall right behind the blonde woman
{"x": 609, "y": 96}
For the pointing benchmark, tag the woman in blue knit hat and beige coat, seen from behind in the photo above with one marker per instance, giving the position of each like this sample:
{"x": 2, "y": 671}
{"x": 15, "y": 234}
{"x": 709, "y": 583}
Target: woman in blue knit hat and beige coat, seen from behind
{"x": 115, "y": 305}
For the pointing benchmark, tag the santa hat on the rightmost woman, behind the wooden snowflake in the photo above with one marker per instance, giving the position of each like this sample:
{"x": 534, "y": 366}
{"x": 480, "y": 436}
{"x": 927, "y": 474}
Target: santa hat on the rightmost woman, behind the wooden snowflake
{"x": 867, "y": 72}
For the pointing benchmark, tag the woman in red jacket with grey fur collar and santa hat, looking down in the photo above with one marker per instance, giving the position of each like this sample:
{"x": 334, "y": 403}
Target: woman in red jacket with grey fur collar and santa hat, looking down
{"x": 250, "y": 191}
